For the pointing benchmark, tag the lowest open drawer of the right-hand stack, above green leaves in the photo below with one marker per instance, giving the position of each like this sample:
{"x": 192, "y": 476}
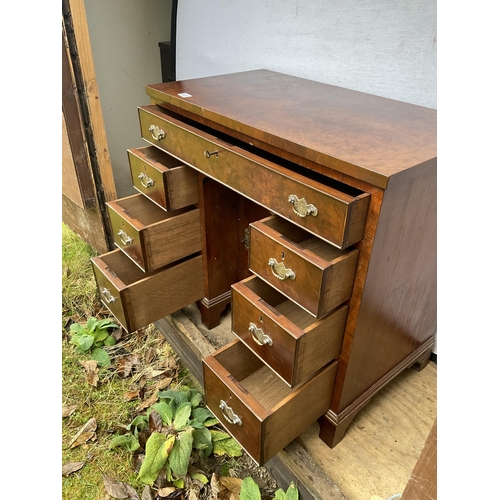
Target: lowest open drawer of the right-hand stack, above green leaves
{"x": 255, "y": 406}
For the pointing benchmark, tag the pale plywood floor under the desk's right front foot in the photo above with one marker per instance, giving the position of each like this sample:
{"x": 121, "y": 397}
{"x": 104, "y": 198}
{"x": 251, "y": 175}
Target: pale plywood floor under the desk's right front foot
{"x": 384, "y": 440}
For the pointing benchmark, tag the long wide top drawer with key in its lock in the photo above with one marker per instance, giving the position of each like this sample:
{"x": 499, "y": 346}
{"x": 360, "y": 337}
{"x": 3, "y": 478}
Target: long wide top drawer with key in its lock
{"x": 330, "y": 213}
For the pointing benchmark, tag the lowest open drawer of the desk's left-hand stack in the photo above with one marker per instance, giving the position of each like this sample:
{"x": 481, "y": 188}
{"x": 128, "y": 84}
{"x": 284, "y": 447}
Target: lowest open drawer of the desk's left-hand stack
{"x": 146, "y": 297}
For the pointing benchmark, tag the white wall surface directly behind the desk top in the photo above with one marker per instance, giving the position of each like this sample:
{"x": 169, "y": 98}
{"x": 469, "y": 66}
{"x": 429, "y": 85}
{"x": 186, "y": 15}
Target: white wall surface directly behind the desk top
{"x": 384, "y": 47}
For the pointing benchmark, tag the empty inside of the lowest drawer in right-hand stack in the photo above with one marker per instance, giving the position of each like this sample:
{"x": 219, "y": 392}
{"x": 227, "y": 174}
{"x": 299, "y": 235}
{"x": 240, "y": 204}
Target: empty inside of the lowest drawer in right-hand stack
{"x": 254, "y": 376}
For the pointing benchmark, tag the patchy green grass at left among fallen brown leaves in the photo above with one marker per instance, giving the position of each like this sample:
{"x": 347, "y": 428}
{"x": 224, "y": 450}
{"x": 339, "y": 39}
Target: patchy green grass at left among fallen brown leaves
{"x": 106, "y": 402}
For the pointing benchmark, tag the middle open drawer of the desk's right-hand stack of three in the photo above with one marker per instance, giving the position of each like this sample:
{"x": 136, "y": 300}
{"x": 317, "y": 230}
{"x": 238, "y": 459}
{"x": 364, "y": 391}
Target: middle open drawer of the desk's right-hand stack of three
{"x": 293, "y": 343}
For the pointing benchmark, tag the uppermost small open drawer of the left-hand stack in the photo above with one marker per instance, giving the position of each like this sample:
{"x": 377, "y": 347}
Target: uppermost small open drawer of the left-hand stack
{"x": 162, "y": 178}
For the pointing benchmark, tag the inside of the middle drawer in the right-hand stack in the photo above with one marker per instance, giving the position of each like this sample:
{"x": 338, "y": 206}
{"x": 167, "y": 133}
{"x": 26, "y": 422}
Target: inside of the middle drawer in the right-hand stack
{"x": 280, "y": 303}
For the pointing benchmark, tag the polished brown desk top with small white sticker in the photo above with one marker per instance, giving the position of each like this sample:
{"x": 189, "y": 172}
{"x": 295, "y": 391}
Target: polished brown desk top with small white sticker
{"x": 368, "y": 137}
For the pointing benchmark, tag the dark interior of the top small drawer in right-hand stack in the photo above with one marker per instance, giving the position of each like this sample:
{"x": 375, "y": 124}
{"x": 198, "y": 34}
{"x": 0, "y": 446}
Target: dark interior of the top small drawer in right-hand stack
{"x": 303, "y": 239}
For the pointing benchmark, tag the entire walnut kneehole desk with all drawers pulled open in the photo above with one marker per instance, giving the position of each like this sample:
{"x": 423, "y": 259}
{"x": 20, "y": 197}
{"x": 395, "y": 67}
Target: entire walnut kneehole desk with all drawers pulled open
{"x": 309, "y": 209}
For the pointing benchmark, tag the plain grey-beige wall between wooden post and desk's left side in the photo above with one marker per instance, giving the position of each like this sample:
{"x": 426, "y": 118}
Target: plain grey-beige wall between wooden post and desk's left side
{"x": 124, "y": 36}
